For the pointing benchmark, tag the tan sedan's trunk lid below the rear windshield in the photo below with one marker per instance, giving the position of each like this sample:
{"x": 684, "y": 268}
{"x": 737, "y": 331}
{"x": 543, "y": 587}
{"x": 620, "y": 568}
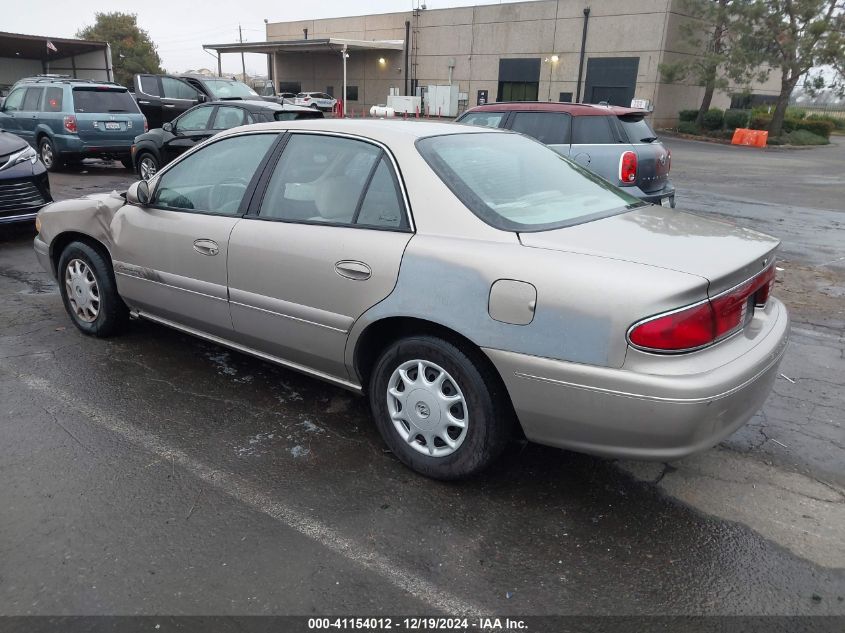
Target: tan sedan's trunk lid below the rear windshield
{"x": 721, "y": 253}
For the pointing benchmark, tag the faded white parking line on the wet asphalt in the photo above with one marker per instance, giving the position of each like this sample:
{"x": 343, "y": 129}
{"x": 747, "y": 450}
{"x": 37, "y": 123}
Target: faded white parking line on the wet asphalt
{"x": 243, "y": 492}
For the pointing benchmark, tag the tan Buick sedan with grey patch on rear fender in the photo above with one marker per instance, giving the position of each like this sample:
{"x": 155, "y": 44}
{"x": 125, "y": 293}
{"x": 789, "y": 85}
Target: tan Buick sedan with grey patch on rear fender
{"x": 470, "y": 282}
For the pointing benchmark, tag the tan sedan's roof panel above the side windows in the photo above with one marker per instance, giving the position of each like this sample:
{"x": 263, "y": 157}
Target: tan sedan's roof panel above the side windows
{"x": 385, "y": 130}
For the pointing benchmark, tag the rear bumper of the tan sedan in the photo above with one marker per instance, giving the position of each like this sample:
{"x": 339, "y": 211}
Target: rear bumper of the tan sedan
{"x": 700, "y": 398}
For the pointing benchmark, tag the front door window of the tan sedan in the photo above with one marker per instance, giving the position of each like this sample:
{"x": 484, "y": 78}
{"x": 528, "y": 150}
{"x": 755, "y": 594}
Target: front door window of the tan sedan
{"x": 215, "y": 178}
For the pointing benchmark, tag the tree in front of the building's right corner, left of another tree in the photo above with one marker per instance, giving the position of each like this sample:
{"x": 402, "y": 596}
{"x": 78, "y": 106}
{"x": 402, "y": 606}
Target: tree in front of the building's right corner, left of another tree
{"x": 717, "y": 59}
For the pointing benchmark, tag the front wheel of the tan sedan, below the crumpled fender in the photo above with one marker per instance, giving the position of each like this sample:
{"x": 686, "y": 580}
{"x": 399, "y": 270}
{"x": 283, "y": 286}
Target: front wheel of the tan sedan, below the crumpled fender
{"x": 89, "y": 291}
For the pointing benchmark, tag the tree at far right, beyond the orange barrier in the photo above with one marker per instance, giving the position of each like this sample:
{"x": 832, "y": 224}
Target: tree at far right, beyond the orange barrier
{"x": 795, "y": 37}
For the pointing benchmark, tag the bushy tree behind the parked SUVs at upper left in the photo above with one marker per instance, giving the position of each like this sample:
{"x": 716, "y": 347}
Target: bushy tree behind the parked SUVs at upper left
{"x": 131, "y": 47}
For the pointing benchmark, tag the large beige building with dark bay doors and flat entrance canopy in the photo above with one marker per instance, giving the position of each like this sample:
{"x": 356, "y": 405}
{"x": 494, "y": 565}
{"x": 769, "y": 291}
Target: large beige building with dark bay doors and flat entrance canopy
{"x": 519, "y": 51}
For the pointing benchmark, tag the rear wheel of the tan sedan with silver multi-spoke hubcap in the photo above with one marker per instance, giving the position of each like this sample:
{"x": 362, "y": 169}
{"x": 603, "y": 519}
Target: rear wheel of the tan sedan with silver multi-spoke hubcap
{"x": 442, "y": 412}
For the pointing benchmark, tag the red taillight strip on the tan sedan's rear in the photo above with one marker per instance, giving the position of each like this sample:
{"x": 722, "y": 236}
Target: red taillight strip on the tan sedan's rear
{"x": 706, "y": 322}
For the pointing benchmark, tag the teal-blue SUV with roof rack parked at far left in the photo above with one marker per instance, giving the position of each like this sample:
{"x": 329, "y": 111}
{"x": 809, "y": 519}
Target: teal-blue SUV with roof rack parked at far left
{"x": 68, "y": 119}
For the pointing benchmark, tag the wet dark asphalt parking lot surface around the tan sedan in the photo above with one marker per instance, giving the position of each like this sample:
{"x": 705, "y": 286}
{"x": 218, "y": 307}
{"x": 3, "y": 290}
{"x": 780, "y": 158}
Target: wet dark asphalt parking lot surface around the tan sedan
{"x": 155, "y": 473}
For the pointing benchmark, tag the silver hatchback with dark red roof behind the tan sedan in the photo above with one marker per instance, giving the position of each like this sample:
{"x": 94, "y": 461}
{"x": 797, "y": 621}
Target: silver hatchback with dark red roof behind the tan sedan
{"x": 616, "y": 143}
